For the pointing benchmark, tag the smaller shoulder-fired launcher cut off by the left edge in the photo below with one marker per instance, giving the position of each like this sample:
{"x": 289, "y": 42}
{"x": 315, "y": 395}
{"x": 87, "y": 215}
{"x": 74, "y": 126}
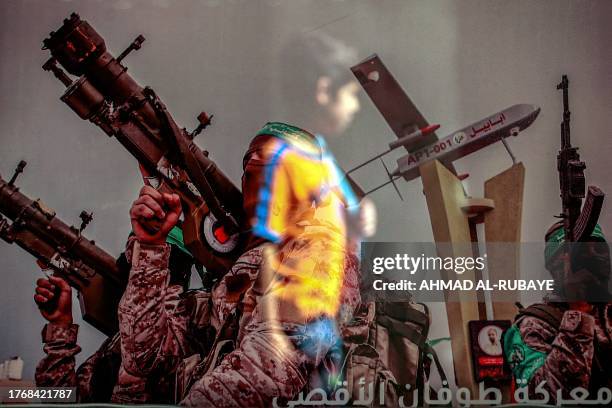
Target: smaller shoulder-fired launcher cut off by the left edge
{"x": 64, "y": 250}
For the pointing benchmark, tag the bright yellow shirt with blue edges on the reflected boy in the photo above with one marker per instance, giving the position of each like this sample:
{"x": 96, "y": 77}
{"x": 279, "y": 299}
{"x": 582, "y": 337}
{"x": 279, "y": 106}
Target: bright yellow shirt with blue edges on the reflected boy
{"x": 302, "y": 207}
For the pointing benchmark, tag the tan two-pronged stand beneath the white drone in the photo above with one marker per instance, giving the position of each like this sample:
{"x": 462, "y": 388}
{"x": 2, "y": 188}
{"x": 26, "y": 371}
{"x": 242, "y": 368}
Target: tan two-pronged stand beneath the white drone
{"x": 453, "y": 217}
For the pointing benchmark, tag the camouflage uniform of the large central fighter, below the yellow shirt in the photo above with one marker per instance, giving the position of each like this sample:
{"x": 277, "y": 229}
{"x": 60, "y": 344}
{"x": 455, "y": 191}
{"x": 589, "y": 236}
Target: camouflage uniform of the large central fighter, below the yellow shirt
{"x": 165, "y": 329}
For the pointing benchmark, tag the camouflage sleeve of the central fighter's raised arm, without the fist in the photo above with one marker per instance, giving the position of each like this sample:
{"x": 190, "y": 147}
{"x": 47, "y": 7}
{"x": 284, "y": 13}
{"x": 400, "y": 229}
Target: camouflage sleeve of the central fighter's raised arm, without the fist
{"x": 152, "y": 320}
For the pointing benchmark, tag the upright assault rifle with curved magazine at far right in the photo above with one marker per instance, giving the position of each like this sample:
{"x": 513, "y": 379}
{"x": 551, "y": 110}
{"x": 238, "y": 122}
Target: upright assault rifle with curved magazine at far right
{"x": 578, "y": 220}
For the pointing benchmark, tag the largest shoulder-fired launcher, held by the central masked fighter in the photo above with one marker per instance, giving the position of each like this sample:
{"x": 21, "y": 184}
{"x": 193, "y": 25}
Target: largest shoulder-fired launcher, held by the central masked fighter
{"x": 106, "y": 95}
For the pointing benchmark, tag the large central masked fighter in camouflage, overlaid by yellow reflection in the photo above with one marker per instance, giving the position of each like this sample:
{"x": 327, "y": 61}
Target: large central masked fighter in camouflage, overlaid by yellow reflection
{"x": 276, "y": 326}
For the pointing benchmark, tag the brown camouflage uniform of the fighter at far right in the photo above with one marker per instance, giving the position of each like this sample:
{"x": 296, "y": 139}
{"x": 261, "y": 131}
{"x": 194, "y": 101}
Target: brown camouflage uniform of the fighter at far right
{"x": 576, "y": 354}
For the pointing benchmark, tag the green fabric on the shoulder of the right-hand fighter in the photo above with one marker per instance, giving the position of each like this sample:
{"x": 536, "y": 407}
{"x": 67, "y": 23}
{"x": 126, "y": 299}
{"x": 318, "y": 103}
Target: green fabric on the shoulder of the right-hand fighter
{"x": 522, "y": 359}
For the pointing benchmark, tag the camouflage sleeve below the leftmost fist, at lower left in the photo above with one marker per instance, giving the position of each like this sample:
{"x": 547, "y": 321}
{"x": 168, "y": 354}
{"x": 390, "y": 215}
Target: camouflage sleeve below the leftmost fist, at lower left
{"x": 57, "y": 368}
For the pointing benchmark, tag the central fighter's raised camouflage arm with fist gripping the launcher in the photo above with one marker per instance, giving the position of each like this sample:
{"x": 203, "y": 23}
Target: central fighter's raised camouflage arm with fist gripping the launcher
{"x": 152, "y": 320}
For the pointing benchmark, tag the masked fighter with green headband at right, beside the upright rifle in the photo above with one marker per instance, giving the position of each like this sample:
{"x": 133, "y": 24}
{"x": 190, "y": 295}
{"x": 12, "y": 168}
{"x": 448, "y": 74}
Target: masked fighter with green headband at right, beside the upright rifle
{"x": 565, "y": 341}
